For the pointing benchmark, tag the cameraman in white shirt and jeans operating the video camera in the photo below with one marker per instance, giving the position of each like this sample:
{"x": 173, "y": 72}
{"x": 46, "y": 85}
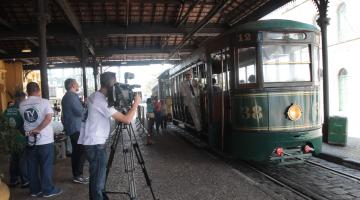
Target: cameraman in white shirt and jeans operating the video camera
{"x": 95, "y": 129}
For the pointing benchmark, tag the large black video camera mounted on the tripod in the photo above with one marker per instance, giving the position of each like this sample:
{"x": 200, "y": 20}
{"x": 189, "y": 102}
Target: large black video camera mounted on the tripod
{"x": 122, "y": 94}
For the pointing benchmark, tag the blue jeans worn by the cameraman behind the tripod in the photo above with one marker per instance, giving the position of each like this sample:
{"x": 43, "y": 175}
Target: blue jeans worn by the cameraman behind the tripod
{"x": 96, "y": 155}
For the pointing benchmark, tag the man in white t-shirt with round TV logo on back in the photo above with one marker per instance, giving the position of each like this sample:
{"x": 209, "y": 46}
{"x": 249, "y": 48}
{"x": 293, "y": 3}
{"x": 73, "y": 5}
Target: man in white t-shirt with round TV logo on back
{"x": 37, "y": 114}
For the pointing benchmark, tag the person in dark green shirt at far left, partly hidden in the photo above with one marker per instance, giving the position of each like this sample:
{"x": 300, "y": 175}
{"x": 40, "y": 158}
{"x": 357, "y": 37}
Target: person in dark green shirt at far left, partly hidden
{"x": 18, "y": 163}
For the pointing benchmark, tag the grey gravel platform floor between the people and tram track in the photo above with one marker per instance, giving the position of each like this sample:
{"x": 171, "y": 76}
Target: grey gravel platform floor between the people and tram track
{"x": 177, "y": 169}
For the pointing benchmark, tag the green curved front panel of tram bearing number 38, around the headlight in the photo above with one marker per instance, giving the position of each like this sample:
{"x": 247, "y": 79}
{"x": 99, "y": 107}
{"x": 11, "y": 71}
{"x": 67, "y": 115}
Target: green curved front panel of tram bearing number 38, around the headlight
{"x": 267, "y": 112}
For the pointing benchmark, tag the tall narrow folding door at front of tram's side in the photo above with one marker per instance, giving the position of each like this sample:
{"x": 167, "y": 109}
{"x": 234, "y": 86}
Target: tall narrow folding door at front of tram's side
{"x": 219, "y": 98}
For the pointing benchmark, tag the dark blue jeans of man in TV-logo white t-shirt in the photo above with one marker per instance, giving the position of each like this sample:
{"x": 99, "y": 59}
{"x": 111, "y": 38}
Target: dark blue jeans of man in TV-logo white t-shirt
{"x": 40, "y": 160}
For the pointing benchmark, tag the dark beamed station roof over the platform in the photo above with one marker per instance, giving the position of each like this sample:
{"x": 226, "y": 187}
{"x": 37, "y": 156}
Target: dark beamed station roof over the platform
{"x": 121, "y": 32}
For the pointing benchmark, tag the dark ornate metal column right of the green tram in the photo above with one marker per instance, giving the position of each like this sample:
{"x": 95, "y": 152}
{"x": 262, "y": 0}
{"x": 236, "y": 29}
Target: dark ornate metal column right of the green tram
{"x": 323, "y": 22}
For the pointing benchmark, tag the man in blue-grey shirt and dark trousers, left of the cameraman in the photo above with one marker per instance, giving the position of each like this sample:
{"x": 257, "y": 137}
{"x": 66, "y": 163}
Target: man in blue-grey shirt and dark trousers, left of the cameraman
{"x": 72, "y": 110}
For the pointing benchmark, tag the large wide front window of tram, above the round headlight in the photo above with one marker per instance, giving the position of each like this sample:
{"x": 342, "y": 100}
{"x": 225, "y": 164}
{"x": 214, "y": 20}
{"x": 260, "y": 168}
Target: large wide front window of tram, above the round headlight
{"x": 286, "y": 63}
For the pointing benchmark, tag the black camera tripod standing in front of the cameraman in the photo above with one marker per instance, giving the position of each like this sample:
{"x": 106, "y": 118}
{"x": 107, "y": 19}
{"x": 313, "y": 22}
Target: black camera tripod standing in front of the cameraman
{"x": 128, "y": 150}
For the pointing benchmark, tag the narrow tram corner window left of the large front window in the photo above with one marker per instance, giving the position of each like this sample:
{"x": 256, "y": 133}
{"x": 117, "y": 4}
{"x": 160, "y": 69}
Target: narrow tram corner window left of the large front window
{"x": 246, "y": 65}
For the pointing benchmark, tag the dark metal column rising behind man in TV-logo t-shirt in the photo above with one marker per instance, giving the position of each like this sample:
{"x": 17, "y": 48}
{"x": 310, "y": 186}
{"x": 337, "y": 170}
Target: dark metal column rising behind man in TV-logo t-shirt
{"x": 43, "y": 18}
